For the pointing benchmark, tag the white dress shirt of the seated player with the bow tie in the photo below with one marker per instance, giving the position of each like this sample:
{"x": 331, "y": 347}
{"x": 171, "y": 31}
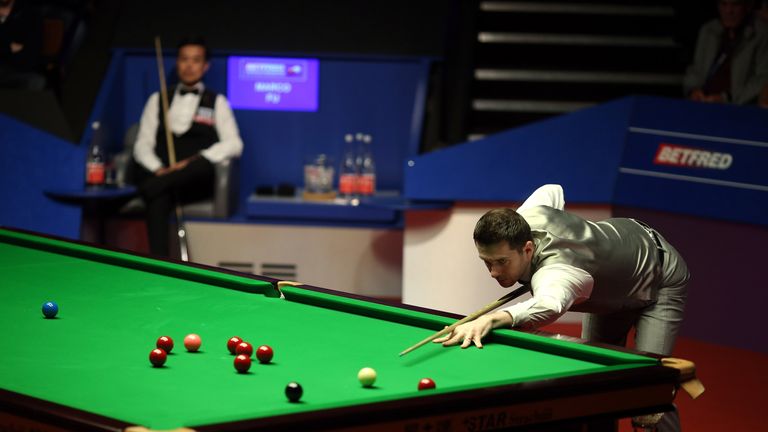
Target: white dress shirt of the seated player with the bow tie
{"x": 180, "y": 116}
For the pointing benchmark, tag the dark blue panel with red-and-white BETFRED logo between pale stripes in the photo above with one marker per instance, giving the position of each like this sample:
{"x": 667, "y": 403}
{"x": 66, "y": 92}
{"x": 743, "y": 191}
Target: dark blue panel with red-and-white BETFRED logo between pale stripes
{"x": 691, "y": 173}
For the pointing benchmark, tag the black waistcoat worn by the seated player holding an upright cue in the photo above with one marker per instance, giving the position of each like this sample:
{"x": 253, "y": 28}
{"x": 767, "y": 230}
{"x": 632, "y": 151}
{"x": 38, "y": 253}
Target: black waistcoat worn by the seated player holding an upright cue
{"x": 201, "y": 135}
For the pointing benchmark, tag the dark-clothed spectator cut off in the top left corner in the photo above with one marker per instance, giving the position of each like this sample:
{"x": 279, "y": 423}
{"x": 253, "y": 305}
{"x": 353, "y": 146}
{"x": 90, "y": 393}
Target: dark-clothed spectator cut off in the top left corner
{"x": 21, "y": 39}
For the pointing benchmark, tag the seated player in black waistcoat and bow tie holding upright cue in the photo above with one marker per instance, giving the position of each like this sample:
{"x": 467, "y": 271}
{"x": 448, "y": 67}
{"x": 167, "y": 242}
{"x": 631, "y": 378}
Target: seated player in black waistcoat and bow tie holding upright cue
{"x": 204, "y": 133}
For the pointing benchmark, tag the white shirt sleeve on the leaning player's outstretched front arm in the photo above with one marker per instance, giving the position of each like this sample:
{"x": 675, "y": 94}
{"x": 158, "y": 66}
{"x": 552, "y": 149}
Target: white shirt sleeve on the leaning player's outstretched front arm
{"x": 556, "y": 288}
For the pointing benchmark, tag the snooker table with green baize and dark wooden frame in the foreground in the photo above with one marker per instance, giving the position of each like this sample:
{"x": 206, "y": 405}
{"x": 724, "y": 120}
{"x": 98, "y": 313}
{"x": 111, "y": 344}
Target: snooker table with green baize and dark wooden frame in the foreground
{"x": 88, "y": 368}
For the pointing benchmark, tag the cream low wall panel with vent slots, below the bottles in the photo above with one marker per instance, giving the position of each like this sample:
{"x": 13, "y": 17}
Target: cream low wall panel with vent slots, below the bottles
{"x": 356, "y": 260}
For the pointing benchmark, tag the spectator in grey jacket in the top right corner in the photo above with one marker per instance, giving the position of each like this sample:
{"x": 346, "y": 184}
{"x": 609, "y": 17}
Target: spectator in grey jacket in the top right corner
{"x": 730, "y": 63}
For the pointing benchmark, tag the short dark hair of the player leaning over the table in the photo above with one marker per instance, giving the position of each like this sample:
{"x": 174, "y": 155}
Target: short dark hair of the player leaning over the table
{"x": 500, "y": 225}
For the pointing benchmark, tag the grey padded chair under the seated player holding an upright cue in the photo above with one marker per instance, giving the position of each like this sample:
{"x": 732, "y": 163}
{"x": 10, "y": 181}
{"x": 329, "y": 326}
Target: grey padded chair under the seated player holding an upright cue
{"x": 225, "y": 191}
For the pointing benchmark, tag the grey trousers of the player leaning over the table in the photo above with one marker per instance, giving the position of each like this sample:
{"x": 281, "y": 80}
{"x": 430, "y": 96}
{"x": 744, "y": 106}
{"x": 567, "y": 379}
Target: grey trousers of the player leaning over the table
{"x": 656, "y": 327}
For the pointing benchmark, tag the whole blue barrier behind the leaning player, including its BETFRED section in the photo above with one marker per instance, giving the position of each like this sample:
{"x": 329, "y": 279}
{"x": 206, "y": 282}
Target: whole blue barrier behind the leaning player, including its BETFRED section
{"x": 661, "y": 154}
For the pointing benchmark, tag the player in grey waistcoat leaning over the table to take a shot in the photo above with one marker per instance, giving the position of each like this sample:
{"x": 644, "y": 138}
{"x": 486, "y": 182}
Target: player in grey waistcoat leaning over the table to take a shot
{"x": 619, "y": 271}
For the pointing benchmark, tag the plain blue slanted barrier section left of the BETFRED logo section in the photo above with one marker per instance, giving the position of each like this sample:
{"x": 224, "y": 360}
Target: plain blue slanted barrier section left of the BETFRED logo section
{"x": 581, "y": 151}
